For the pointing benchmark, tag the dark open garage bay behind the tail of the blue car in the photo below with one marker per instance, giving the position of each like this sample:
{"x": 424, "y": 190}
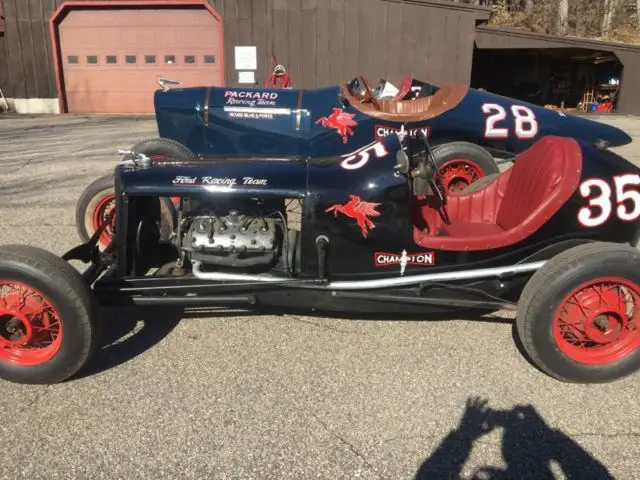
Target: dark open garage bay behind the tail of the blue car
{"x": 562, "y": 78}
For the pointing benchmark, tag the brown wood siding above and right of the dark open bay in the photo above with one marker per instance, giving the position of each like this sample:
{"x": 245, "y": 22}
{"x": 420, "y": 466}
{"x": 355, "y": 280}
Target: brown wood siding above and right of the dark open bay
{"x": 629, "y": 56}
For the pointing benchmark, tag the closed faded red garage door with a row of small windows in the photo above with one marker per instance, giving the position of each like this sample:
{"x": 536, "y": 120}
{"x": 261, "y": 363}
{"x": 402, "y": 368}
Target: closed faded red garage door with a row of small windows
{"x": 111, "y": 57}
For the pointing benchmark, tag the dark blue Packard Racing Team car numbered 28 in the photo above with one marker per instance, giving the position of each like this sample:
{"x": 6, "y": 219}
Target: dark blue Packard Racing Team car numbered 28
{"x": 469, "y": 128}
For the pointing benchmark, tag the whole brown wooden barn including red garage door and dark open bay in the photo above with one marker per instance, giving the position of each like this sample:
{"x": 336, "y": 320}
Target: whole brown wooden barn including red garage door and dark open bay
{"x": 79, "y": 56}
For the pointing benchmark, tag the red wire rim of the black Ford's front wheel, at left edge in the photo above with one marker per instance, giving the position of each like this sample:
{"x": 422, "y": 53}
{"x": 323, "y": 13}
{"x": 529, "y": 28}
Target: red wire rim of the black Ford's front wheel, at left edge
{"x": 30, "y": 327}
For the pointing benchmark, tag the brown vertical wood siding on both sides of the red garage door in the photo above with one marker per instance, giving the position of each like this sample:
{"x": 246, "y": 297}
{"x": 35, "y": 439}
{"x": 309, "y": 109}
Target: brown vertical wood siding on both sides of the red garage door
{"x": 321, "y": 42}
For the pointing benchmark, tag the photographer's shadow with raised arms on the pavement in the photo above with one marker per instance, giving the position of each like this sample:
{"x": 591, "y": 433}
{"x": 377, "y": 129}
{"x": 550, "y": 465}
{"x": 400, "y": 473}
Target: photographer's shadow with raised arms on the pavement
{"x": 529, "y": 446}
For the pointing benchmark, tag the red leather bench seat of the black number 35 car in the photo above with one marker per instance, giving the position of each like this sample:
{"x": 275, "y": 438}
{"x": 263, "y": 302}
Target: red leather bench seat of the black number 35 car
{"x": 514, "y": 206}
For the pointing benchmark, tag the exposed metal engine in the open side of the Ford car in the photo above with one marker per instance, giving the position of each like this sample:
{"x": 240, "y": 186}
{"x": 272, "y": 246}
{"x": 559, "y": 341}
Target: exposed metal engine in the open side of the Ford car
{"x": 234, "y": 235}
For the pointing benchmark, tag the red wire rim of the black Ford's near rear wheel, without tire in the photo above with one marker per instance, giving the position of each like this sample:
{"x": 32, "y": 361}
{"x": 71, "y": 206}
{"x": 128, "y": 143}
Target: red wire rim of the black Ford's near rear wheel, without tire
{"x": 597, "y": 323}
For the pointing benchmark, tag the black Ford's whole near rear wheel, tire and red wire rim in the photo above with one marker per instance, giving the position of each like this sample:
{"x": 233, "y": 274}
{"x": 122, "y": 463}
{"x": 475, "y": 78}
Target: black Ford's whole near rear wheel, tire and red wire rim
{"x": 579, "y": 315}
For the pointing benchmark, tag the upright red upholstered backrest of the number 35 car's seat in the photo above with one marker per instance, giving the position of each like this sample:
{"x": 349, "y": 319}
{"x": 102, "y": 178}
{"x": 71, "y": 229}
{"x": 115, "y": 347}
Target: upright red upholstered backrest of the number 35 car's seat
{"x": 536, "y": 177}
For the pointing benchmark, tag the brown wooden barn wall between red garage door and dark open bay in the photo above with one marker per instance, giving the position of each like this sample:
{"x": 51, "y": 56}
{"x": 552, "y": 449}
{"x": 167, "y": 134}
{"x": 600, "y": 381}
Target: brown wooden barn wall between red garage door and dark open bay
{"x": 322, "y": 42}
